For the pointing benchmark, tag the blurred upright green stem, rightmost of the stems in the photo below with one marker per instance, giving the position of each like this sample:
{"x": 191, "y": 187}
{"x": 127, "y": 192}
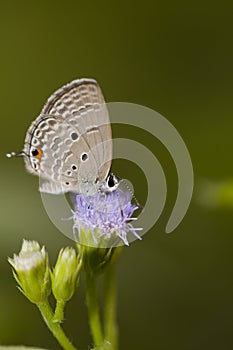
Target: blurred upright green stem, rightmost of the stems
{"x": 110, "y": 319}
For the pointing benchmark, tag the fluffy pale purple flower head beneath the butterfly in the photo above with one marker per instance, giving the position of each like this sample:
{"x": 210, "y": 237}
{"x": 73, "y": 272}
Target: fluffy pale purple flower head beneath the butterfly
{"x": 106, "y": 216}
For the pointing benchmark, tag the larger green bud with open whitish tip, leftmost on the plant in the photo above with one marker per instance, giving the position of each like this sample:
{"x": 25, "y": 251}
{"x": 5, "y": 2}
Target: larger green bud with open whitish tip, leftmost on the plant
{"x": 31, "y": 271}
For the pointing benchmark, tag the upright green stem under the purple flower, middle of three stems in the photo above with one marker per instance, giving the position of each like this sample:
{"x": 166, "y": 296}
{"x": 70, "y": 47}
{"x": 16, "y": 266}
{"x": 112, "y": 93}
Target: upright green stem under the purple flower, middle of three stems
{"x": 93, "y": 310}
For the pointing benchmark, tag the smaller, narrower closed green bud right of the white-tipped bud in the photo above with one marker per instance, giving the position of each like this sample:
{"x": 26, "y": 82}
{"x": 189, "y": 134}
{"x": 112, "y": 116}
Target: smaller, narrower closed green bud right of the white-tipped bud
{"x": 65, "y": 274}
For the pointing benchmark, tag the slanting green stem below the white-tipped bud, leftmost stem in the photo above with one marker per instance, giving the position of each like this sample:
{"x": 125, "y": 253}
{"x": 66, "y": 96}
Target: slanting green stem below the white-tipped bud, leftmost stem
{"x": 55, "y": 328}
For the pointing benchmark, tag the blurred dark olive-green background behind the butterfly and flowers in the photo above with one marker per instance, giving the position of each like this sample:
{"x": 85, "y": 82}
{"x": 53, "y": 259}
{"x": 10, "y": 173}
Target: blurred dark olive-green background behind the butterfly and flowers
{"x": 174, "y": 291}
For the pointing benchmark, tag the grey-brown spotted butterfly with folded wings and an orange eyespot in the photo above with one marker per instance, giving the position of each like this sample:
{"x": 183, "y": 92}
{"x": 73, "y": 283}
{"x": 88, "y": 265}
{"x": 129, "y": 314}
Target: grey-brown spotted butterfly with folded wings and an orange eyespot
{"x": 69, "y": 145}
